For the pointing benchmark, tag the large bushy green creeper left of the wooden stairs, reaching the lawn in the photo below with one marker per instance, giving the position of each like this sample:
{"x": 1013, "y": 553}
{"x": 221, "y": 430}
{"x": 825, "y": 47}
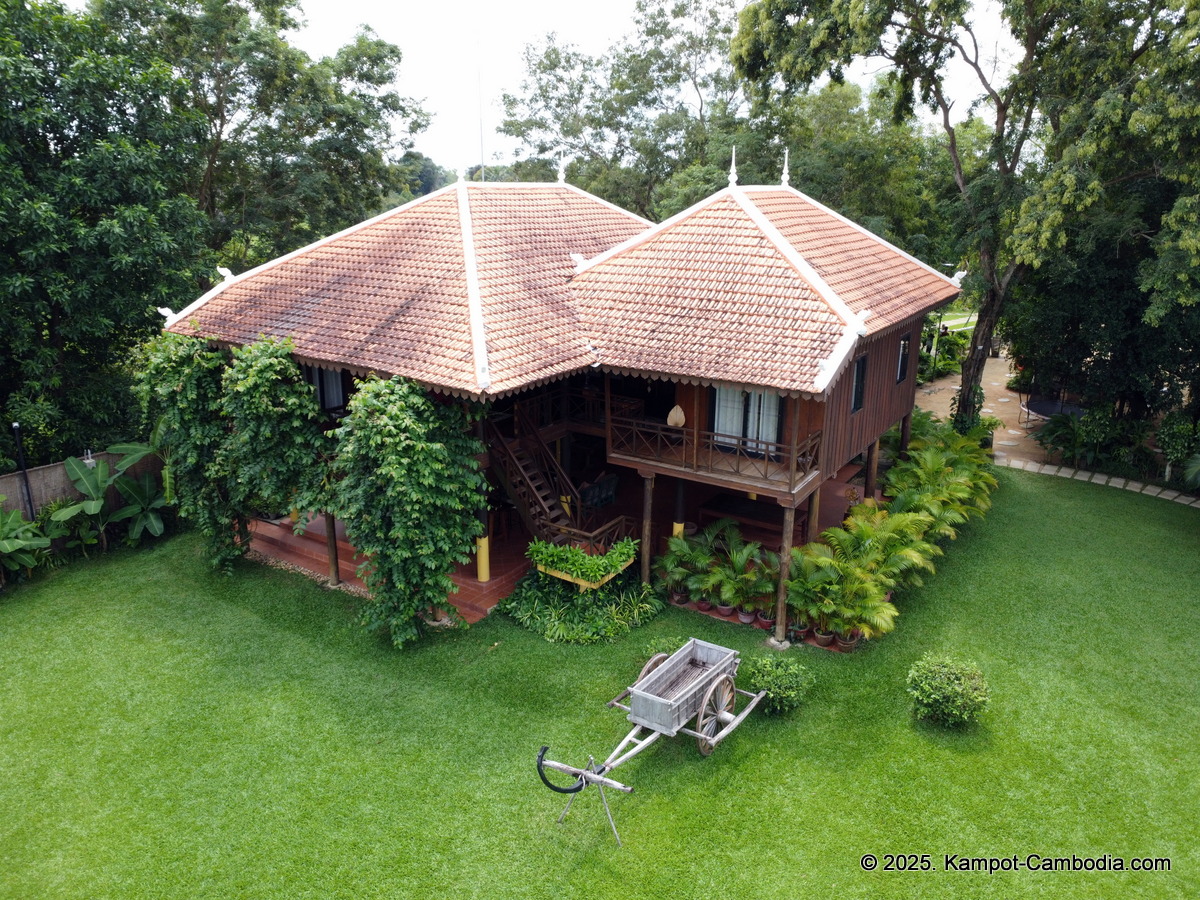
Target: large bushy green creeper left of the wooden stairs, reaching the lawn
{"x": 410, "y": 493}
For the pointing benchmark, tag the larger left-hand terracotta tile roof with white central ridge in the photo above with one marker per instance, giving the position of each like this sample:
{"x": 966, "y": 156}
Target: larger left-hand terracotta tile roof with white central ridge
{"x": 405, "y": 295}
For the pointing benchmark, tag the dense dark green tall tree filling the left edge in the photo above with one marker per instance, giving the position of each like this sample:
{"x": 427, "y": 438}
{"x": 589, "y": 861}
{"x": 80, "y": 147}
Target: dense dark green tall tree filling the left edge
{"x": 95, "y": 229}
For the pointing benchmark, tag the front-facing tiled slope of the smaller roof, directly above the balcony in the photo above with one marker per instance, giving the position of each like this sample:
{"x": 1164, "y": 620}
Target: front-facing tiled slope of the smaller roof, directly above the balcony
{"x": 709, "y": 296}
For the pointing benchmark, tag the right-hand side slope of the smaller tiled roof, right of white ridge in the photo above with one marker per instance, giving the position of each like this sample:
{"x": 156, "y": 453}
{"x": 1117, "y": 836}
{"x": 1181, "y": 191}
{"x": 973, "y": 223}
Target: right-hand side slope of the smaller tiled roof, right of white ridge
{"x": 867, "y": 272}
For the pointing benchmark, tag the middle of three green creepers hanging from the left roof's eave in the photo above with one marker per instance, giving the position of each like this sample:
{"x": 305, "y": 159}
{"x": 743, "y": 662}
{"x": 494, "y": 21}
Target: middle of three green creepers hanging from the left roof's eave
{"x": 277, "y": 446}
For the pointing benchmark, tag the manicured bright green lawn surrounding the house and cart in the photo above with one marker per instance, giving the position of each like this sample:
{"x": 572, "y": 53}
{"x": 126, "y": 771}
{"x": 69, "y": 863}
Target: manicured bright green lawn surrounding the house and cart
{"x": 169, "y": 733}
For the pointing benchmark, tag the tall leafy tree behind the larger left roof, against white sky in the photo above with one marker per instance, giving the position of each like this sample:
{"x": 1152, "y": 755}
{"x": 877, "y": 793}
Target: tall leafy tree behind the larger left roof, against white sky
{"x": 295, "y": 148}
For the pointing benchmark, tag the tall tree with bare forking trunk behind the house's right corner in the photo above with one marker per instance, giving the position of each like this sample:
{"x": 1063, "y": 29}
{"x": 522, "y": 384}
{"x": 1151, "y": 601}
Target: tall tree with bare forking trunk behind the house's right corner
{"x": 787, "y": 45}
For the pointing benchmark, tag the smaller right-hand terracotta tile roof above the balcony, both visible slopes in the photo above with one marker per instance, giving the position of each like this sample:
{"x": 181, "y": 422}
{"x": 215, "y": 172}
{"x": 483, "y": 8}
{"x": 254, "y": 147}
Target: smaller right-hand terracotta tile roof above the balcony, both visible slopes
{"x": 755, "y": 286}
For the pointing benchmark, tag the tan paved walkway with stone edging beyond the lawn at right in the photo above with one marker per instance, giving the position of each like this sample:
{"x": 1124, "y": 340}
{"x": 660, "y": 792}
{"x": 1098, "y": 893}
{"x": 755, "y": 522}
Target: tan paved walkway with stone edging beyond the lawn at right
{"x": 1013, "y": 445}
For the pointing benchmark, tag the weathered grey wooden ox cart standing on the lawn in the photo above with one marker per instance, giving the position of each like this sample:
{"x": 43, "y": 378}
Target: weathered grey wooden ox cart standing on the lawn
{"x": 697, "y": 685}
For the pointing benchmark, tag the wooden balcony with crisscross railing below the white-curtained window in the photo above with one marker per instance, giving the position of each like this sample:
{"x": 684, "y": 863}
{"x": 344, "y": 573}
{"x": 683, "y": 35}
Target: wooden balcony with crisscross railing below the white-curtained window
{"x": 730, "y": 461}
